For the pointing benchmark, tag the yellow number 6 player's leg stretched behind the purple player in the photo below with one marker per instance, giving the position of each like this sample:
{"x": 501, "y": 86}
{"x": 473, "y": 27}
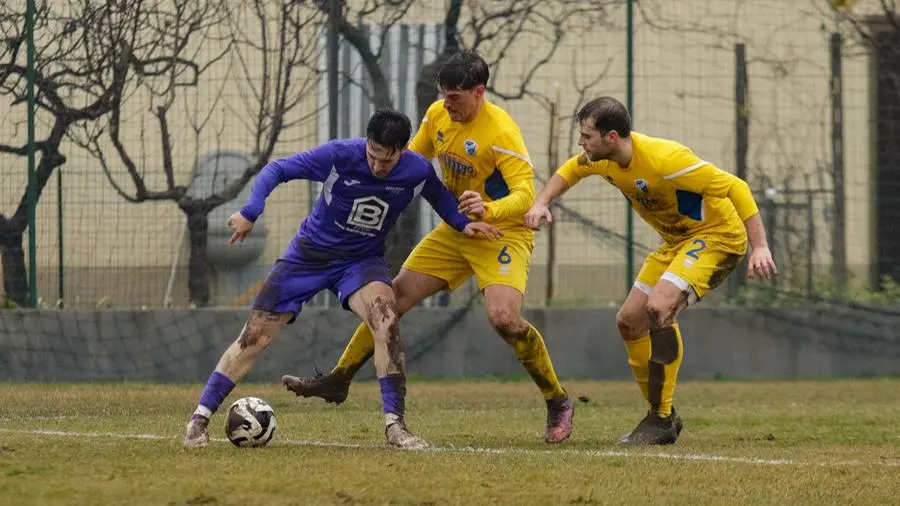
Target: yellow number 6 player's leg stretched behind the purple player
{"x": 434, "y": 265}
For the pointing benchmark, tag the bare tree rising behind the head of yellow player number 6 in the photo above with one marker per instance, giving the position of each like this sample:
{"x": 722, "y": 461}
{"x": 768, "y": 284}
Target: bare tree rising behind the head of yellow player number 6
{"x": 492, "y": 28}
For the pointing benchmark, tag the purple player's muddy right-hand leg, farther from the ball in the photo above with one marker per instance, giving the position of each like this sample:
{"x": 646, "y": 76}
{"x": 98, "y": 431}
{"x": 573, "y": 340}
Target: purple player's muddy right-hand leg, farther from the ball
{"x": 376, "y": 305}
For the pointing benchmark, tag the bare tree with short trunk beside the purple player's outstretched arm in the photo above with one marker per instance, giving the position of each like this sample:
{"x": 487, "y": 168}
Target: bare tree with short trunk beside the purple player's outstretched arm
{"x": 274, "y": 70}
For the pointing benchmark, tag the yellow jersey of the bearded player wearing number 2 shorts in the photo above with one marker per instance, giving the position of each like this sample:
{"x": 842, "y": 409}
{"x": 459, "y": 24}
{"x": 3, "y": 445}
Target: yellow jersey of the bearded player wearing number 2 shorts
{"x": 673, "y": 190}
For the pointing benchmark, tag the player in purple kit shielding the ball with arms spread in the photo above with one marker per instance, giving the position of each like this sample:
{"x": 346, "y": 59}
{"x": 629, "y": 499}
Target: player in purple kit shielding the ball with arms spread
{"x": 340, "y": 246}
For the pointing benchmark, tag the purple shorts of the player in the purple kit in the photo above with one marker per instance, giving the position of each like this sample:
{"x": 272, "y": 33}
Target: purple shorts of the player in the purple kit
{"x": 291, "y": 284}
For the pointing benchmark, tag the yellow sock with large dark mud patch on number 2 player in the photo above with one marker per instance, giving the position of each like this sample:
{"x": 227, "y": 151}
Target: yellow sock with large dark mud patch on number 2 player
{"x": 666, "y": 350}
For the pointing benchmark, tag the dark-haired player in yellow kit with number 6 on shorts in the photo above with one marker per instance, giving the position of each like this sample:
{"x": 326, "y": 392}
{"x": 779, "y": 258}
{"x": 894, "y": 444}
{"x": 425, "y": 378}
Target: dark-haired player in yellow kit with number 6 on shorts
{"x": 485, "y": 163}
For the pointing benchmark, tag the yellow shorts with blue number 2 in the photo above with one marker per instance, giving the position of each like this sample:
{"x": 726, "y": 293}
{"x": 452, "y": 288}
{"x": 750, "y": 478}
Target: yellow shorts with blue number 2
{"x": 696, "y": 265}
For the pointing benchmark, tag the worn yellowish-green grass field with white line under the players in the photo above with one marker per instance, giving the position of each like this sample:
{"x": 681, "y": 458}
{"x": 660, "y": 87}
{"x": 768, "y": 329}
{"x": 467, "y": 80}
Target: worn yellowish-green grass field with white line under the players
{"x": 835, "y": 442}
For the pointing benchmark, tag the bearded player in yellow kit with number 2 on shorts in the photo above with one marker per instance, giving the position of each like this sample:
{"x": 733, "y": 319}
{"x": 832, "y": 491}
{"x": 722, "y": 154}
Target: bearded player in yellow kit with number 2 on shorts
{"x": 704, "y": 216}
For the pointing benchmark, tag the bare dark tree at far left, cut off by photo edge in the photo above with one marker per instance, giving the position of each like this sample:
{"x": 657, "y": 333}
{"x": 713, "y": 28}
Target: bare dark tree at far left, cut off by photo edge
{"x": 81, "y": 67}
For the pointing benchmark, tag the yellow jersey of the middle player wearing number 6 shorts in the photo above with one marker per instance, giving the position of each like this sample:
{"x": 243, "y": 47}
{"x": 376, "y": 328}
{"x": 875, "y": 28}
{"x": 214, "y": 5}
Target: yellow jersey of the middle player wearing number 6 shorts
{"x": 486, "y": 155}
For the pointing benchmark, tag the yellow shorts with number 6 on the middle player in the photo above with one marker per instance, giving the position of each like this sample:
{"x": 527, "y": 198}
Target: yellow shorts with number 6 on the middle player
{"x": 449, "y": 255}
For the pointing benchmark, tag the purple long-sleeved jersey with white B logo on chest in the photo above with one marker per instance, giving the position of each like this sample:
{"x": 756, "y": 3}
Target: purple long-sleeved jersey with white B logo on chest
{"x": 356, "y": 209}
